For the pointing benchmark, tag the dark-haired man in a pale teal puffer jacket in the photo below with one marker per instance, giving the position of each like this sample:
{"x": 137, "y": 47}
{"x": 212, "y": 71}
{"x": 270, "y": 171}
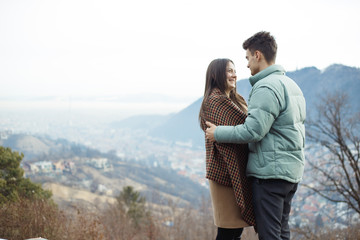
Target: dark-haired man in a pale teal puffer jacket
{"x": 275, "y": 132}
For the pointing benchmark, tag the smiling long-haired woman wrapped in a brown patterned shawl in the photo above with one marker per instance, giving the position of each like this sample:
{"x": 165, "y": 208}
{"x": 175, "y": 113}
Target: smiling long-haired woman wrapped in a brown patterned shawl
{"x": 226, "y": 163}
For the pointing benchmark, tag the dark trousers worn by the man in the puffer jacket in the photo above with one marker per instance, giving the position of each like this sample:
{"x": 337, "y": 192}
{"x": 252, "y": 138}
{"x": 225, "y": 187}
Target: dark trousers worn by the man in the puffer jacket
{"x": 272, "y": 204}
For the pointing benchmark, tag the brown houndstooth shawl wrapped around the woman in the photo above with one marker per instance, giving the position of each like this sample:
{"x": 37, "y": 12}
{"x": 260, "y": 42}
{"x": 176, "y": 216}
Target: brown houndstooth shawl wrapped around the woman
{"x": 226, "y": 163}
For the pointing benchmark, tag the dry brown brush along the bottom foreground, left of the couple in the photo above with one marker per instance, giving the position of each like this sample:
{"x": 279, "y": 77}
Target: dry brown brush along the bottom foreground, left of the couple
{"x": 39, "y": 218}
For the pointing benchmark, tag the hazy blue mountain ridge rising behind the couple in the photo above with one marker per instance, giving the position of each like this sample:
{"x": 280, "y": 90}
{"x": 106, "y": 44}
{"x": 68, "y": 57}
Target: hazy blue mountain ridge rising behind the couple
{"x": 184, "y": 126}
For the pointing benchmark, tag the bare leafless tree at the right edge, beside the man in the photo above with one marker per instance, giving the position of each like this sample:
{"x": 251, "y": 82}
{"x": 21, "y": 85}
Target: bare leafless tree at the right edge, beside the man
{"x": 334, "y": 151}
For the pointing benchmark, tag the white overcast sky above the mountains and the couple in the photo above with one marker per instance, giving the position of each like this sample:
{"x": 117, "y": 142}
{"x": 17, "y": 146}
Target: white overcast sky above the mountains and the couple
{"x": 105, "y": 47}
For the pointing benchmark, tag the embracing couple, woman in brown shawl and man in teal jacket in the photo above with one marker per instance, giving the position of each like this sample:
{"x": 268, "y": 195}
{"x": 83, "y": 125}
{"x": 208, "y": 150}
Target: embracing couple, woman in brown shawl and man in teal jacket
{"x": 255, "y": 161}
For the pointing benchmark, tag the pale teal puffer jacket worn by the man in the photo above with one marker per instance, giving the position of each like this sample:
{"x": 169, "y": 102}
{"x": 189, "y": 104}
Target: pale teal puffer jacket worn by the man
{"x": 274, "y": 127}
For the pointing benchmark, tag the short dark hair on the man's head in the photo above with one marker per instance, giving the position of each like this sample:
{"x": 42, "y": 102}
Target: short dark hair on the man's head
{"x": 263, "y": 42}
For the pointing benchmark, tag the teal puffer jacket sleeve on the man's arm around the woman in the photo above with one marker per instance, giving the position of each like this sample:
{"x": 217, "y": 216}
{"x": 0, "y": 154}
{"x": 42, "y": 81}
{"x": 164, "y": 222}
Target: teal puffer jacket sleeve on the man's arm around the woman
{"x": 264, "y": 107}
